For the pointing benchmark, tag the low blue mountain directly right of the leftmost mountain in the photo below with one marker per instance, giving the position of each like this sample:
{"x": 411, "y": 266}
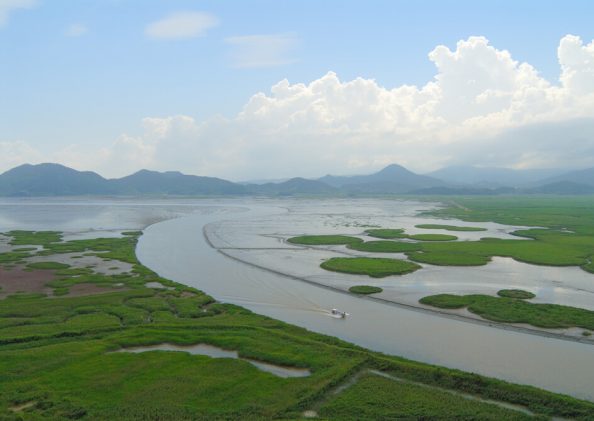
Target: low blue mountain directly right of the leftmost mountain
{"x": 174, "y": 183}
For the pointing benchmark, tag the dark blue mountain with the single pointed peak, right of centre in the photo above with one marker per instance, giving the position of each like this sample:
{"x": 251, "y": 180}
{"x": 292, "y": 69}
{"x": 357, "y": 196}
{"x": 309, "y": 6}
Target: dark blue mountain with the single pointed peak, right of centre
{"x": 390, "y": 180}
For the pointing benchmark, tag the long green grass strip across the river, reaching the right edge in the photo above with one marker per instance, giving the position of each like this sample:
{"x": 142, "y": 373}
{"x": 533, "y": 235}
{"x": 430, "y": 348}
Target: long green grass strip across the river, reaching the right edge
{"x": 511, "y": 310}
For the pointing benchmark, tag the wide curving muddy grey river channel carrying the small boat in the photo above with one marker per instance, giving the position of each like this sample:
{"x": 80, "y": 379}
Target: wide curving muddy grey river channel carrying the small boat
{"x": 176, "y": 249}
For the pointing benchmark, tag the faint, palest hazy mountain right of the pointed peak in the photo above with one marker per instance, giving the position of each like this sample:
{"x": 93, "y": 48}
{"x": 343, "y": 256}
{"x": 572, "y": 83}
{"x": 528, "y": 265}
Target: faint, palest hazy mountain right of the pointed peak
{"x": 492, "y": 177}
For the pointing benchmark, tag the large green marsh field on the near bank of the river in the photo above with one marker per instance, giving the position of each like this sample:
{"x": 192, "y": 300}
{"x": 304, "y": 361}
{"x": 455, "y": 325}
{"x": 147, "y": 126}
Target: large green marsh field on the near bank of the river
{"x": 57, "y": 362}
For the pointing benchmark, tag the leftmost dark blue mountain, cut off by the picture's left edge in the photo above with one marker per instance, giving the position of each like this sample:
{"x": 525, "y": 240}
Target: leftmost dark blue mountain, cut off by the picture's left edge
{"x": 51, "y": 180}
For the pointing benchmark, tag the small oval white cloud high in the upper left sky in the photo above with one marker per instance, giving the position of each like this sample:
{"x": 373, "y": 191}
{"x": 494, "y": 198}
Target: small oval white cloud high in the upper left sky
{"x": 181, "y": 25}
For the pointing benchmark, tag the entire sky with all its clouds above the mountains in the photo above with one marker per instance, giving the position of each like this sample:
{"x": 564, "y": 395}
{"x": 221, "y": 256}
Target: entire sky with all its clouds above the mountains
{"x": 266, "y": 89}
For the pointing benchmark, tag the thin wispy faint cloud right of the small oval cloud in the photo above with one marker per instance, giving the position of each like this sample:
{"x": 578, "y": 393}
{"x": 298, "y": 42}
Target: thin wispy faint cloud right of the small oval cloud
{"x": 262, "y": 50}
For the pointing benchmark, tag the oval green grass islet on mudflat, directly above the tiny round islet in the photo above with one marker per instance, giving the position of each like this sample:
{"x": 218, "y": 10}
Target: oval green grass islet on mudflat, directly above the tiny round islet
{"x": 374, "y": 267}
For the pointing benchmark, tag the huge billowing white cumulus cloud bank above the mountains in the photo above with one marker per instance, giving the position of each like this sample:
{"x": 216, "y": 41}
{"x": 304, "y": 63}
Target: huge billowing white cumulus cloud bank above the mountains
{"x": 482, "y": 107}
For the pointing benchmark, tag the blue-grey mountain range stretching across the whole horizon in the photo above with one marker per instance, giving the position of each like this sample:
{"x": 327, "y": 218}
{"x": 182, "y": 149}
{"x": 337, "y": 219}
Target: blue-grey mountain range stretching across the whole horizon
{"x": 58, "y": 180}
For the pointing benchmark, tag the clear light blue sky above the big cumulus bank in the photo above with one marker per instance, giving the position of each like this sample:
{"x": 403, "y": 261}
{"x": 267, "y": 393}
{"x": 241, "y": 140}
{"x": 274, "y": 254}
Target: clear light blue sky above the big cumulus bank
{"x": 82, "y": 73}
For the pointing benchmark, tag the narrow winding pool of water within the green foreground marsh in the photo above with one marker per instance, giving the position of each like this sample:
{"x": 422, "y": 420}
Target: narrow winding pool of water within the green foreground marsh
{"x": 216, "y": 352}
